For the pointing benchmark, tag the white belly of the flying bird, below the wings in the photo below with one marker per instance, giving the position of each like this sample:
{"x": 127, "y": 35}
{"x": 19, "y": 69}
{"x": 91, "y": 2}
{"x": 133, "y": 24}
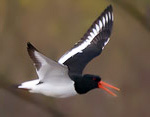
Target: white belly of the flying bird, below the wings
{"x": 59, "y": 90}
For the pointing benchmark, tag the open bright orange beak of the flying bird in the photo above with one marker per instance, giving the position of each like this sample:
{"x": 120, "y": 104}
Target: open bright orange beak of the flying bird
{"x": 101, "y": 84}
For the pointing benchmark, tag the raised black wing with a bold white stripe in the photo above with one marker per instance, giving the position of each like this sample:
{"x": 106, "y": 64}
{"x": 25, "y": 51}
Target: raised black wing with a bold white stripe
{"x": 91, "y": 44}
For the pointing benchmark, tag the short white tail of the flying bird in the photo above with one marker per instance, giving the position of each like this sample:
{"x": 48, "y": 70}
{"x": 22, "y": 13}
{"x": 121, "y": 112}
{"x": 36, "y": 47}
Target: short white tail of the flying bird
{"x": 29, "y": 85}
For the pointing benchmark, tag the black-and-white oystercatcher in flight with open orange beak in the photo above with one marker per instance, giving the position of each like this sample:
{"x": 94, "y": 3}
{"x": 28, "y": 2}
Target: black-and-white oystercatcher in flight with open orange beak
{"x": 64, "y": 78}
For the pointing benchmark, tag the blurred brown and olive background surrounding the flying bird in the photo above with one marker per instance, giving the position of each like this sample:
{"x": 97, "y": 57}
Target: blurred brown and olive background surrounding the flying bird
{"x": 53, "y": 26}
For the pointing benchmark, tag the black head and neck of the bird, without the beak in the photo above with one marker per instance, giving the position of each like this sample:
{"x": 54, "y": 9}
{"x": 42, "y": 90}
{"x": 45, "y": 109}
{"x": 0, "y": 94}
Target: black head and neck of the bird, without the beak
{"x": 85, "y": 83}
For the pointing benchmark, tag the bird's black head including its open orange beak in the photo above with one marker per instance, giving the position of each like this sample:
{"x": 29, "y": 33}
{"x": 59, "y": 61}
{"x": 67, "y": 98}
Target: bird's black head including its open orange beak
{"x": 88, "y": 82}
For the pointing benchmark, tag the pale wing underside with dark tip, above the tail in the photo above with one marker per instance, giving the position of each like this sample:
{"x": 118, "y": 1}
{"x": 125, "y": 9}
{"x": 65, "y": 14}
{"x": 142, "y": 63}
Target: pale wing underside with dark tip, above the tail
{"x": 45, "y": 67}
